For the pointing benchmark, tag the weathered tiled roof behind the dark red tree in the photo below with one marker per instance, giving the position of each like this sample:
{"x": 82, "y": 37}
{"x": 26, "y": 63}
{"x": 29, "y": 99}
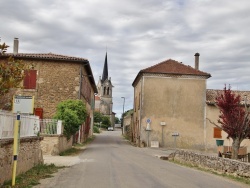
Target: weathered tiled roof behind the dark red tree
{"x": 211, "y": 95}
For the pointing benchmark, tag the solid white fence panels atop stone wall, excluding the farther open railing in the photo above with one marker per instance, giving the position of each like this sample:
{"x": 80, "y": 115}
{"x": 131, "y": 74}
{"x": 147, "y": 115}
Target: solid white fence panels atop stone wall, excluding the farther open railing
{"x": 29, "y": 125}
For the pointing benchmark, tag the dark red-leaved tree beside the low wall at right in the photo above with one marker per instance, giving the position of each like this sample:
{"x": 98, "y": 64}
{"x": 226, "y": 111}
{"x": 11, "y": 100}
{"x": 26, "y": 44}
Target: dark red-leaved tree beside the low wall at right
{"x": 234, "y": 118}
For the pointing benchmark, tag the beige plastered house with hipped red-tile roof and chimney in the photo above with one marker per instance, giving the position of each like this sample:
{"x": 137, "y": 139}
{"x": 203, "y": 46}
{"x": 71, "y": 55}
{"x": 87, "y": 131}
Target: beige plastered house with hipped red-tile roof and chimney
{"x": 169, "y": 105}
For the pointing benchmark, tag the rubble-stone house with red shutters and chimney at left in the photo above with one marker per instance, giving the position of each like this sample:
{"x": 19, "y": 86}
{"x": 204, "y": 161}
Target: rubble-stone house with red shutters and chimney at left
{"x": 55, "y": 78}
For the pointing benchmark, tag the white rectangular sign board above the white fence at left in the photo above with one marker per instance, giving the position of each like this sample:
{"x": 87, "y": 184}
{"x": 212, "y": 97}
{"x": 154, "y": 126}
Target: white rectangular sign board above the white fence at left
{"x": 23, "y": 104}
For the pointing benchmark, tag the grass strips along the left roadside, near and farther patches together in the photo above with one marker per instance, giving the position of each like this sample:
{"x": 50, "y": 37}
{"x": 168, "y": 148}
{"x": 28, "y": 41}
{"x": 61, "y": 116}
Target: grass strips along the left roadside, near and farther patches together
{"x": 42, "y": 171}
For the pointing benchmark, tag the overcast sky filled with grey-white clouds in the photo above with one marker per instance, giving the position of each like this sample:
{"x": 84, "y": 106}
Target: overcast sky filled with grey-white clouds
{"x": 136, "y": 34}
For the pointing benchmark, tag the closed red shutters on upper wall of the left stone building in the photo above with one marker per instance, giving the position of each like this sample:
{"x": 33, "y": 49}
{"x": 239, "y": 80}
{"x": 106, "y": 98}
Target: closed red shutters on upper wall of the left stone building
{"x": 29, "y": 81}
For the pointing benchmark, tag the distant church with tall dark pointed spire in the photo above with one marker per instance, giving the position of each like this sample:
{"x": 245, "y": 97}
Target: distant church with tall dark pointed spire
{"x": 104, "y": 100}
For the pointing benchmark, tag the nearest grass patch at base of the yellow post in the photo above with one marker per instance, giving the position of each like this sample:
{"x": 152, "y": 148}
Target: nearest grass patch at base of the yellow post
{"x": 32, "y": 177}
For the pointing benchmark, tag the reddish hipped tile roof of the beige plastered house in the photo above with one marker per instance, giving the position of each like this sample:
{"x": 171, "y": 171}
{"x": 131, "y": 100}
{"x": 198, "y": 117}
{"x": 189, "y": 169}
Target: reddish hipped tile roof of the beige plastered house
{"x": 172, "y": 67}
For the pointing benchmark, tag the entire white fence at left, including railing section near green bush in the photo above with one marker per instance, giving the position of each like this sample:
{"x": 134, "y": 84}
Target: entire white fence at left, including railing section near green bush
{"x": 30, "y": 125}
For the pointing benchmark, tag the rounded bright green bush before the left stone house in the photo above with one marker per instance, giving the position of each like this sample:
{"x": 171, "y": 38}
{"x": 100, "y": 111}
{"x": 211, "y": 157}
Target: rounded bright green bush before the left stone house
{"x": 73, "y": 113}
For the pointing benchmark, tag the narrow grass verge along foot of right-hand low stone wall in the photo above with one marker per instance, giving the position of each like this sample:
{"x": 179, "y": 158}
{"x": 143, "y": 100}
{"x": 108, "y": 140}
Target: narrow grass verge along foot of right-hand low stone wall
{"x": 235, "y": 178}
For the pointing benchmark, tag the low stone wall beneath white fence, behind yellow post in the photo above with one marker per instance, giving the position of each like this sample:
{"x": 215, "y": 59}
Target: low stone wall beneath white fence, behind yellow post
{"x": 29, "y": 155}
